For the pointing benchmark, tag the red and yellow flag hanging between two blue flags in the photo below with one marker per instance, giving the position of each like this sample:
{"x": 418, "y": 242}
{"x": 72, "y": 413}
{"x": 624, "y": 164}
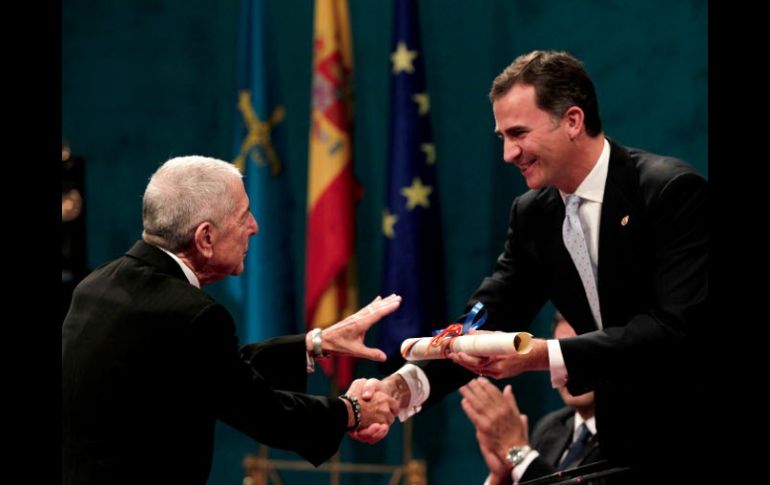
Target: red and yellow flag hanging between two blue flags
{"x": 330, "y": 284}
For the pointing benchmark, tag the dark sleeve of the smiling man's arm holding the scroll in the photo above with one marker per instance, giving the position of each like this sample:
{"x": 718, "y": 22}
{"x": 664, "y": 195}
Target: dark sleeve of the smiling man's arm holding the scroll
{"x": 674, "y": 302}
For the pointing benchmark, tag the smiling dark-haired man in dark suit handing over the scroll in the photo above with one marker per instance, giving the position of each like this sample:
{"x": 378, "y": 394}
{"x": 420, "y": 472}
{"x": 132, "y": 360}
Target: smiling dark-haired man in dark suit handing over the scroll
{"x": 617, "y": 239}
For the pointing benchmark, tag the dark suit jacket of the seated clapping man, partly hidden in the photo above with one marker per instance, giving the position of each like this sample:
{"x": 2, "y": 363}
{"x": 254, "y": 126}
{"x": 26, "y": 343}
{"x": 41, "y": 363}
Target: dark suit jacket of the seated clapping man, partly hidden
{"x": 551, "y": 437}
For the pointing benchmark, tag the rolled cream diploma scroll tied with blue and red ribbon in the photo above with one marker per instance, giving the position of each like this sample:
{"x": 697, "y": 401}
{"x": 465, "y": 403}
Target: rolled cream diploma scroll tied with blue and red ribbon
{"x": 480, "y": 345}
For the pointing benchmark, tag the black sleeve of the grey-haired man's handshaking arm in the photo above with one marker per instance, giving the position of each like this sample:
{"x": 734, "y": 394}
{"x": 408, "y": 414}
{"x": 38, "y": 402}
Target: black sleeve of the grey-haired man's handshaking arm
{"x": 242, "y": 397}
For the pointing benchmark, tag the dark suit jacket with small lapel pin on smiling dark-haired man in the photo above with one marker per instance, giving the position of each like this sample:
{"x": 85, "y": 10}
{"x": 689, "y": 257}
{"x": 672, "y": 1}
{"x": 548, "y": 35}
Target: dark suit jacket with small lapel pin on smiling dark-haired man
{"x": 653, "y": 289}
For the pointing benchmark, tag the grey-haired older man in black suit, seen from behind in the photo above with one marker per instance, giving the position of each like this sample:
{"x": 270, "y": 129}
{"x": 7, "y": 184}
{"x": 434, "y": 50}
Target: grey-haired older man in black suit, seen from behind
{"x": 150, "y": 362}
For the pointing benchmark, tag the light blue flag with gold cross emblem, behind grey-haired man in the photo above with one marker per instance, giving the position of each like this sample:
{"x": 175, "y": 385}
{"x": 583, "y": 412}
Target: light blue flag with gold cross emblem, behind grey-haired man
{"x": 265, "y": 289}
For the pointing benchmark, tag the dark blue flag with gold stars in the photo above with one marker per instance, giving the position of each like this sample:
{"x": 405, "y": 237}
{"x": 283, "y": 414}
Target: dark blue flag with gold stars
{"x": 411, "y": 219}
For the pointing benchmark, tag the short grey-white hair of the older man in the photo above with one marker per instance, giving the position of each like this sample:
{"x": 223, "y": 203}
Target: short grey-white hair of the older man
{"x": 184, "y": 192}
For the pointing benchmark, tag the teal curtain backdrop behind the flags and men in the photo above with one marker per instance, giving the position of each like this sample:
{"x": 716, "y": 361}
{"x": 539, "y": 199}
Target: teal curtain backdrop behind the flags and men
{"x": 145, "y": 81}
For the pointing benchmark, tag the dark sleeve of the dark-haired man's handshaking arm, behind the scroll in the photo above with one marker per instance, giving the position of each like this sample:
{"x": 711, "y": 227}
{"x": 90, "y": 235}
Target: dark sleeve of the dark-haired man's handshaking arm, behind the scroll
{"x": 514, "y": 274}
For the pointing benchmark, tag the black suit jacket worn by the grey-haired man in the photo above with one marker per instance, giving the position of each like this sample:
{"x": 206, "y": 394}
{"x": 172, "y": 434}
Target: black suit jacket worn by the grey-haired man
{"x": 149, "y": 363}
